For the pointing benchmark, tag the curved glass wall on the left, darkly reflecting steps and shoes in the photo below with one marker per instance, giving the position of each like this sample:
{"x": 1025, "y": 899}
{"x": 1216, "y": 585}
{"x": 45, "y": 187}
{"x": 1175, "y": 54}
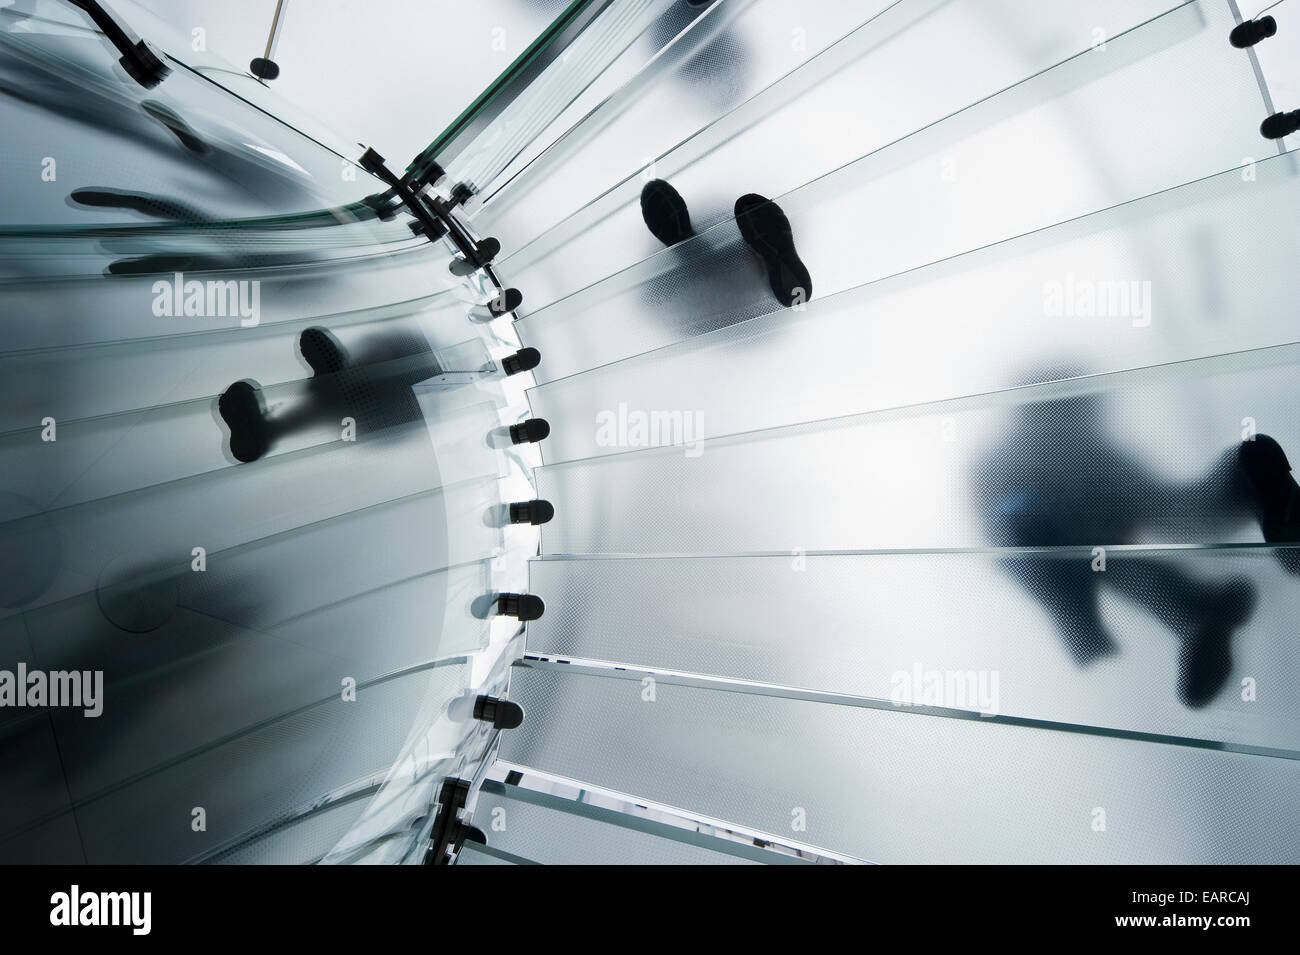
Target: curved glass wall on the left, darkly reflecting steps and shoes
{"x": 289, "y": 606}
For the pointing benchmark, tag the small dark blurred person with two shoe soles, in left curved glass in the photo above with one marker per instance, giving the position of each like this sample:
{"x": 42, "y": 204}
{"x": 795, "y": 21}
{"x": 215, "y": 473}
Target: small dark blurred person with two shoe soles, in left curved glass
{"x": 372, "y": 388}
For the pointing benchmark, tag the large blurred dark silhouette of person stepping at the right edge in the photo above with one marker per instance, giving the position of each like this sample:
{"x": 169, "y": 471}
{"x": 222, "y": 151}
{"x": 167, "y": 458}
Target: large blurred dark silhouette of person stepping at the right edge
{"x": 1060, "y": 479}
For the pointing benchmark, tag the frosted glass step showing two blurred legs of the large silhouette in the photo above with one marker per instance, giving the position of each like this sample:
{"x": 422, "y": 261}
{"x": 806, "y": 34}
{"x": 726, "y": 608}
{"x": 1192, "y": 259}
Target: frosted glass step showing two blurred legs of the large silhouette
{"x": 1037, "y": 633}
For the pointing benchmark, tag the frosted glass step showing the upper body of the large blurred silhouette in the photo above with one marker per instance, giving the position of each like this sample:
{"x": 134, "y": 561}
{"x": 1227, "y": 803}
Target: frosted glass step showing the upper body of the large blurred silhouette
{"x": 1145, "y": 457}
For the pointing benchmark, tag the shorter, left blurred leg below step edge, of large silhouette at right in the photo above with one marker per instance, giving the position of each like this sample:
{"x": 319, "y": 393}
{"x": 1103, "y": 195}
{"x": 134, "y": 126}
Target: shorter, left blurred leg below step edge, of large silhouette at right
{"x": 1068, "y": 591}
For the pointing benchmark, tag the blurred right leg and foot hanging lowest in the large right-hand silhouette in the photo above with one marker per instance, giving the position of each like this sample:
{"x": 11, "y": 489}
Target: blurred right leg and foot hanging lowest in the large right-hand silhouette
{"x": 1203, "y": 617}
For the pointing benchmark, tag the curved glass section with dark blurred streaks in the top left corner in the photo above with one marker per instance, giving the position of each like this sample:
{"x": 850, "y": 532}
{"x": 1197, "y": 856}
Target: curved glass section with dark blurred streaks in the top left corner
{"x": 180, "y": 144}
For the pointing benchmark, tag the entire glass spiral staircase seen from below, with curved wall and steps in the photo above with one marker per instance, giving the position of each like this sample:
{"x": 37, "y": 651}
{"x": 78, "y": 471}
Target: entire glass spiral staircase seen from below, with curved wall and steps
{"x": 925, "y": 568}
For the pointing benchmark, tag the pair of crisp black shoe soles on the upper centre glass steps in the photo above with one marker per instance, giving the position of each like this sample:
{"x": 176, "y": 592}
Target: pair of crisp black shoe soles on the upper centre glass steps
{"x": 762, "y": 224}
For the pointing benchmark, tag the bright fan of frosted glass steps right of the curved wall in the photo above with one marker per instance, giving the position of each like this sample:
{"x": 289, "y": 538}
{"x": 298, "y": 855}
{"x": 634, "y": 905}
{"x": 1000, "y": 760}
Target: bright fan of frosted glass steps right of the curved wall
{"x": 963, "y": 553}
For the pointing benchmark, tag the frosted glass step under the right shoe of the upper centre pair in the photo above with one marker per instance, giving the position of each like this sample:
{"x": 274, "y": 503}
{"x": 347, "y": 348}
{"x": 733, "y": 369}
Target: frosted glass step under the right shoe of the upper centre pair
{"x": 1016, "y": 164}
